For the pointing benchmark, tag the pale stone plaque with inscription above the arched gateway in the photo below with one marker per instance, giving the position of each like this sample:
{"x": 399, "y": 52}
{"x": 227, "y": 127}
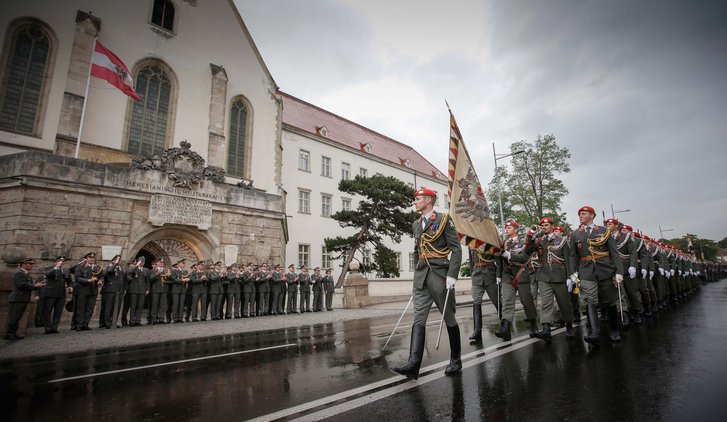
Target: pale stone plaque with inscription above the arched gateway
{"x": 165, "y": 209}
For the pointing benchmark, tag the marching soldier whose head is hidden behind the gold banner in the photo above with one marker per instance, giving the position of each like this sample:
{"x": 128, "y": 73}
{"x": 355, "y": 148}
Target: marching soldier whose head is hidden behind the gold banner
{"x": 484, "y": 279}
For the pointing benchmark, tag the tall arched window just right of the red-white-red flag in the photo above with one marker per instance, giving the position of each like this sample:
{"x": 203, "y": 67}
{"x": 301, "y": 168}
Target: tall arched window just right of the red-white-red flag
{"x": 150, "y": 122}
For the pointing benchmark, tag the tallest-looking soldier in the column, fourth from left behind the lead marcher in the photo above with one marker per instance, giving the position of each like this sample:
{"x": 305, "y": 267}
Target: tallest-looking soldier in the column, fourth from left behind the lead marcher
{"x": 594, "y": 261}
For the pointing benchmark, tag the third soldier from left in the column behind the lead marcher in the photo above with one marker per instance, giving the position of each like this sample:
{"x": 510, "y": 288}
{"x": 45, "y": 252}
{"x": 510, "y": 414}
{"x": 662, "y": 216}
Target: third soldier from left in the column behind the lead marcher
{"x": 552, "y": 278}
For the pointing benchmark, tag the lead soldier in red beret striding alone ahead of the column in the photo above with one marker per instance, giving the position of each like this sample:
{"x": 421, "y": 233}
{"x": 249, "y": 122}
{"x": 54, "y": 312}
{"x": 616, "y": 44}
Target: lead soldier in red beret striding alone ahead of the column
{"x": 437, "y": 259}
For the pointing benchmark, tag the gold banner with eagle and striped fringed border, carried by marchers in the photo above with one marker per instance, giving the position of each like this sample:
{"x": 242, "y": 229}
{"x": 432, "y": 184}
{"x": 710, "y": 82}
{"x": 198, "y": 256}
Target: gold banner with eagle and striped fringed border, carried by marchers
{"x": 468, "y": 206}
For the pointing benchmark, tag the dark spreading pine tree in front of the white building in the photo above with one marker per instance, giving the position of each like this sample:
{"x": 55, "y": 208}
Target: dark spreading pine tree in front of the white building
{"x": 380, "y": 215}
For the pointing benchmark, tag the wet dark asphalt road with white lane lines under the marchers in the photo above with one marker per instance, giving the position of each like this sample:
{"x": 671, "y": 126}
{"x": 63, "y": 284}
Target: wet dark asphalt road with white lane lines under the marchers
{"x": 671, "y": 368}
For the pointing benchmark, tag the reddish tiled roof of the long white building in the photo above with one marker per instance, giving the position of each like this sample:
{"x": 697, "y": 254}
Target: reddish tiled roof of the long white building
{"x": 309, "y": 118}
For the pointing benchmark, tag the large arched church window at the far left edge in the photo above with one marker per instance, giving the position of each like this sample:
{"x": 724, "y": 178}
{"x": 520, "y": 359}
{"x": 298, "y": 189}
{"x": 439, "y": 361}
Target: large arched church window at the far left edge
{"x": 24, "y": 77}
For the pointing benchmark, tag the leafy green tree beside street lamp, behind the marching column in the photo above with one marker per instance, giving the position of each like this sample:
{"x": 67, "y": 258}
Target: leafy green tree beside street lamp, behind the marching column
{"x": 532, "y": 189}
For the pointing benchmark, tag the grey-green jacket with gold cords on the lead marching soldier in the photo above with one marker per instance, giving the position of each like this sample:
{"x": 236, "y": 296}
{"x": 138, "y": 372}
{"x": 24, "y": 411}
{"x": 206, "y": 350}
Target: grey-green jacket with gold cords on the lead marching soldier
{"x": 438, "y": 234}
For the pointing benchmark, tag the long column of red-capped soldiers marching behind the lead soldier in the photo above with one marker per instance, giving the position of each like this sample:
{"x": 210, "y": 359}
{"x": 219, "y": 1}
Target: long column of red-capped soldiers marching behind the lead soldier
{"x": 615, "y": 274}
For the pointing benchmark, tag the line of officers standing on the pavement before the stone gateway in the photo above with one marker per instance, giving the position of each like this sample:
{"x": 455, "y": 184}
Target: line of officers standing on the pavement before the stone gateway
{"x": 205, "y": 291}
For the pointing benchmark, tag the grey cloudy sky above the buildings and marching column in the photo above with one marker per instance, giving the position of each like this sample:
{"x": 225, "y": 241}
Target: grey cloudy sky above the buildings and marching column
{"x": 636, "y": 90}
